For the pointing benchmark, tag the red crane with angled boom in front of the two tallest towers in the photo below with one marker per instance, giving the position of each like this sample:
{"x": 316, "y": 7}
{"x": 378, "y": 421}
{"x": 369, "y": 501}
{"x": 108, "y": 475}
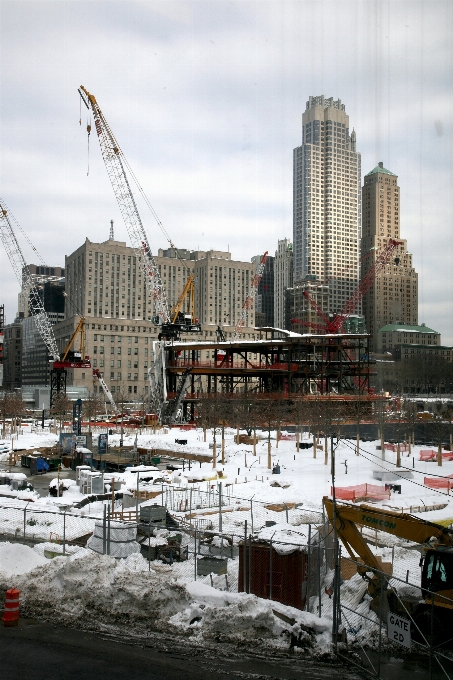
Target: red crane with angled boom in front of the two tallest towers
{"x": 335, "y": 323}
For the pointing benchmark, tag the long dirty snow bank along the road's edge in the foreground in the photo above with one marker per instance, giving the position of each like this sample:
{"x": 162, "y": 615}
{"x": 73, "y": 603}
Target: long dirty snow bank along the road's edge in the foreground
{"x": 92, "y": 591}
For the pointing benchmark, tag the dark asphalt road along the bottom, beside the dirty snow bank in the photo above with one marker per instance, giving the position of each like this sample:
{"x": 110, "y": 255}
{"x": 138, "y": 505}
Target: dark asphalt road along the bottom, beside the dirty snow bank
{"x": 40, "y": 651}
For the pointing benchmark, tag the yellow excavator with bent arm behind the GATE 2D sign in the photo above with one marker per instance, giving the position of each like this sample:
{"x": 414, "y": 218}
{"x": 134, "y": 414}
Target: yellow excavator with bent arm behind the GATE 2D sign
{"x": 437, "y": 561}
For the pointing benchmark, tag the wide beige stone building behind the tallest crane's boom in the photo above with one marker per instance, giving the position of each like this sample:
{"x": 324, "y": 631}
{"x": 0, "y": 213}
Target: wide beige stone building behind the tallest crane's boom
{"x": 104, "y": 282}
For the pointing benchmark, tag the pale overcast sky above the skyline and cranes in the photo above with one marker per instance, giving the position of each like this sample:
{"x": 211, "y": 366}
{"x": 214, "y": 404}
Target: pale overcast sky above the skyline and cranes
{"x": 206, "y": 100}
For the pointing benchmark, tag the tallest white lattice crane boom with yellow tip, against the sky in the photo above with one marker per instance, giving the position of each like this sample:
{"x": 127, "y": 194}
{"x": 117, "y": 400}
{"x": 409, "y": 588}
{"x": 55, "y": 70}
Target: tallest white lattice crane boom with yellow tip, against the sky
{"x": 115, "y": 163}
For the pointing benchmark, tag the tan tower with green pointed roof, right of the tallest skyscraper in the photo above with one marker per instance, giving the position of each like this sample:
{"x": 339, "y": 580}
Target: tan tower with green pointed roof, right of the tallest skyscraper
{"x": 394, "y": 296}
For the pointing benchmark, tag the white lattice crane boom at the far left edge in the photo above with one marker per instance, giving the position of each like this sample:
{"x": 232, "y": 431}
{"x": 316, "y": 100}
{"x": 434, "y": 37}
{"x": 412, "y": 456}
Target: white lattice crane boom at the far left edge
{"x": 16, "y": 257}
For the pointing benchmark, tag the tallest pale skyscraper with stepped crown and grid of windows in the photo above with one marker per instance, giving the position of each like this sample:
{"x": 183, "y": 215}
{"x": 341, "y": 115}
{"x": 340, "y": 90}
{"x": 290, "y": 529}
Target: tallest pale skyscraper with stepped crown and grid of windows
{"x": 326, "y": 200}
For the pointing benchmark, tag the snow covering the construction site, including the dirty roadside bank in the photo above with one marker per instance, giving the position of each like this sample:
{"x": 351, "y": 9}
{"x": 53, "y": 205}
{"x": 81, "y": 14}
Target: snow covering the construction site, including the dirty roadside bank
{"x": 93, "y": 586}
